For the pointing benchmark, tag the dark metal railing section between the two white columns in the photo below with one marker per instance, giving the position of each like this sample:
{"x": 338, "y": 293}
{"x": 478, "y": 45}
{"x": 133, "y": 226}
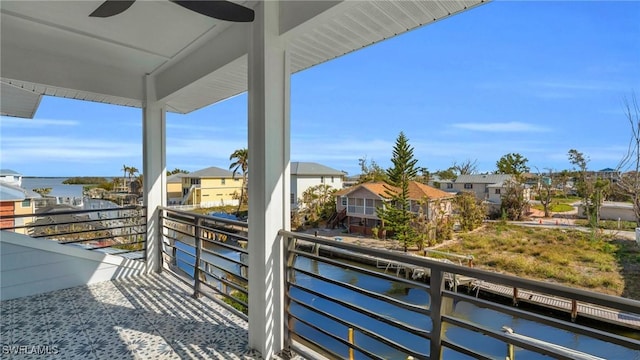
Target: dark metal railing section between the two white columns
{"x": 209, "y": 254}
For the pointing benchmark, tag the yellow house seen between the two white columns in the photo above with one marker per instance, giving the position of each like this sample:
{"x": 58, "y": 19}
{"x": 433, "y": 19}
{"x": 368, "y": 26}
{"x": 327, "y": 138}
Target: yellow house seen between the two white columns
{"x": 212, "y": 186}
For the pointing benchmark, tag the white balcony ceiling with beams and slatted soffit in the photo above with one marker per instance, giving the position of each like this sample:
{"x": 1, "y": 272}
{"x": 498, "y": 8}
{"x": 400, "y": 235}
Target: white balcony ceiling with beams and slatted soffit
{"x": 54, "y": 48}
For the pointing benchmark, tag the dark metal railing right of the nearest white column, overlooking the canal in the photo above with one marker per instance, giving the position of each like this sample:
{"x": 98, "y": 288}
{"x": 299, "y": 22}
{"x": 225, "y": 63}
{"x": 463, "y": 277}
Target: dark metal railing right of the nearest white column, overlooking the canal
{"x": 340, "y": 307}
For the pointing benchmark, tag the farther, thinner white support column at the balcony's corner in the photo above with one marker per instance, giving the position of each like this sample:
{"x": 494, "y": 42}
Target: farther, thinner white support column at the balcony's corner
{"x": 153, "y": 169}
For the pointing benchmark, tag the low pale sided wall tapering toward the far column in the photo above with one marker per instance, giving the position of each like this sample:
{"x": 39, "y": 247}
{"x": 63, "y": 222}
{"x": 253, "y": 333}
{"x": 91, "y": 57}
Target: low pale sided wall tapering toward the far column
{"x": 34, "y": 266}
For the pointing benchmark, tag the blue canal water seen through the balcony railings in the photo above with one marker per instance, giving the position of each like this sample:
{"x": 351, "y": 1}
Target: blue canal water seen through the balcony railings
{"x": 414, "y": 295}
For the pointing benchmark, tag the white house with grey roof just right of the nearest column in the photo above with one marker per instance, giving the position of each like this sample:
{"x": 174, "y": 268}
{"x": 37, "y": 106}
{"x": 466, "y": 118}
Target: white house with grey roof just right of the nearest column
{"x": 309, "y": 174}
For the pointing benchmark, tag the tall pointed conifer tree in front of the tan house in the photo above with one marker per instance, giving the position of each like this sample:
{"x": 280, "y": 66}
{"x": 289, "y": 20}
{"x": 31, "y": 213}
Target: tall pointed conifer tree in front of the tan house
{"x": 397, "y": 215}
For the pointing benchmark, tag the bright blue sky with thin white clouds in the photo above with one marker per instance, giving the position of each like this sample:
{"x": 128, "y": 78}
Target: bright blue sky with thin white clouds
{"x": 536, "y": 78}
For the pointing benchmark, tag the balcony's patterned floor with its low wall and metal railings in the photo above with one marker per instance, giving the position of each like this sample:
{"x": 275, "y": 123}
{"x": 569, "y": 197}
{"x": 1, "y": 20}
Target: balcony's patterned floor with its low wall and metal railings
{"x": 341, "y": 300}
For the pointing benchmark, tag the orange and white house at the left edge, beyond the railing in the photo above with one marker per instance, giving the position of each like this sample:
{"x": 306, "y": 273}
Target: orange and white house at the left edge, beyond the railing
{"x": 15, "y": 200}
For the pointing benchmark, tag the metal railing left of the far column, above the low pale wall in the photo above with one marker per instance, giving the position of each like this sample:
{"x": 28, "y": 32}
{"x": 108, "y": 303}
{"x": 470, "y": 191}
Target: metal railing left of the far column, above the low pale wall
{"x": 117, "y": 231}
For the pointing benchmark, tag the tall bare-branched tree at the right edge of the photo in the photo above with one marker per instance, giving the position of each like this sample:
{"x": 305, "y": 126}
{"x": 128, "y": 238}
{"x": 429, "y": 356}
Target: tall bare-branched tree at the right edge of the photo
{"x": 629, "y": 182}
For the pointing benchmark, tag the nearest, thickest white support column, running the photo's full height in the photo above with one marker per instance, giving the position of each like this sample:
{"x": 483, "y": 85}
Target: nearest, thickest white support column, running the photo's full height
{"x": 269, "y": 208}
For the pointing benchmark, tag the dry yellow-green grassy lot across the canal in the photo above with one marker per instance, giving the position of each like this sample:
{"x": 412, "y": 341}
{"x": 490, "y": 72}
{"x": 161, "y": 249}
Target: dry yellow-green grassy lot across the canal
{"x": 569, "y": 257}
